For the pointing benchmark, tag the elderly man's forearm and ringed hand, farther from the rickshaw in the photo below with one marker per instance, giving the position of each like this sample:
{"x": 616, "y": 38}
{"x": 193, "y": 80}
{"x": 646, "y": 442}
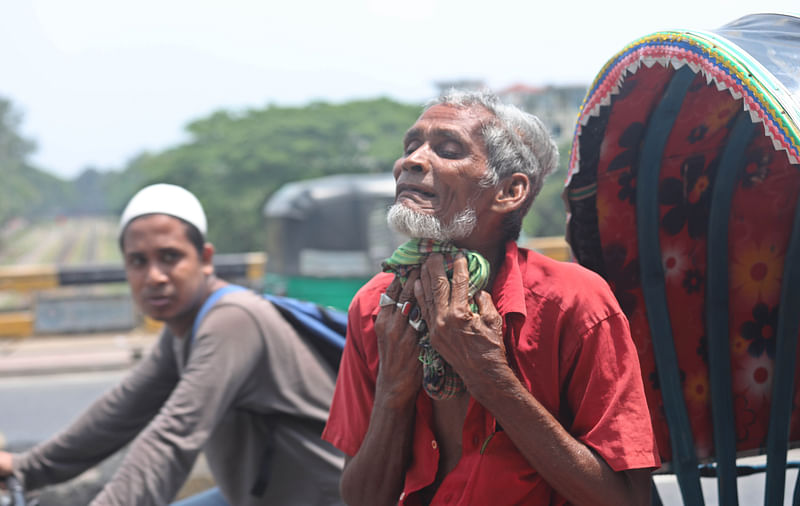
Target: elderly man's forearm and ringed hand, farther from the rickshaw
{"x": 375, "y": 474}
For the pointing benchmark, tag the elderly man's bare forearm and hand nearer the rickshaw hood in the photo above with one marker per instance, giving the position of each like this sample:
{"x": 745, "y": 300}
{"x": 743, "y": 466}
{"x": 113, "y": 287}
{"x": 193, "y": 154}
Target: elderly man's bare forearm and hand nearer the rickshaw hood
{"x": 473, "y": 344}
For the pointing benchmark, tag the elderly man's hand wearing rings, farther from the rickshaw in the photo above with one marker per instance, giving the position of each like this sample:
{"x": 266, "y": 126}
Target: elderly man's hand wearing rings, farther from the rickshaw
{"x": 400, "y": 373}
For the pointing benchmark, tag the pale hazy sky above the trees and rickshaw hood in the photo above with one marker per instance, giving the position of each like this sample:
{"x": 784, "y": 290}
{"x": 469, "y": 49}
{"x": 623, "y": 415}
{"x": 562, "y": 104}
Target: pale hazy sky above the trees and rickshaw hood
{"x": 99, "y": 81}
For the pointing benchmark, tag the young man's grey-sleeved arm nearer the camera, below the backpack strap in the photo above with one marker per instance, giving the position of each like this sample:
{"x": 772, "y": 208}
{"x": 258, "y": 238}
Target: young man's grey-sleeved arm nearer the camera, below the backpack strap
{"x": 224, "y": 354}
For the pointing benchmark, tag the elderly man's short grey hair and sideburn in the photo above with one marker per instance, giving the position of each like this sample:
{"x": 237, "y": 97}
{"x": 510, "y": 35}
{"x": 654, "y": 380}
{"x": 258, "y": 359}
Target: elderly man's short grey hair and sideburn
{"x": 515, "y": 142}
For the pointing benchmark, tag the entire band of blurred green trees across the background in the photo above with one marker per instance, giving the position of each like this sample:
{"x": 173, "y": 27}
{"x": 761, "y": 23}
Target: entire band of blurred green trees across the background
{"x": 233, "y": 161}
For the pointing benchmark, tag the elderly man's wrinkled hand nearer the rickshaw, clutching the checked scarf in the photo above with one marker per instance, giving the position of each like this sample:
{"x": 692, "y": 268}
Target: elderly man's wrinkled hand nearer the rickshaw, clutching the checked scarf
{"x": 472, "y": 343}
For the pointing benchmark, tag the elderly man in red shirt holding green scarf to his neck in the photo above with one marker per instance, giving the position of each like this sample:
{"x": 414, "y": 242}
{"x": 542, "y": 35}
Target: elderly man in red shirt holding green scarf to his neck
{"x": 477, "y": 372}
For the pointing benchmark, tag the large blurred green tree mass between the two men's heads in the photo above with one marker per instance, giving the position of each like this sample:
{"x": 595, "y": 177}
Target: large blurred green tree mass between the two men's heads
{"x": 233, "y": 162}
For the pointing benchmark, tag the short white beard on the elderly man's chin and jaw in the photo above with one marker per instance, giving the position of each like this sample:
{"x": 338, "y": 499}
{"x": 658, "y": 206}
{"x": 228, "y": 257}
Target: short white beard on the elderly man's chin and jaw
{"x": 425, "y": 226}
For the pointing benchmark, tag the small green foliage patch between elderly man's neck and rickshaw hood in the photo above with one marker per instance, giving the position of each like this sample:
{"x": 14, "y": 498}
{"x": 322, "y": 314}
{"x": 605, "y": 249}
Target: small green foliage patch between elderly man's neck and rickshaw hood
{"x": 547, "y": 216}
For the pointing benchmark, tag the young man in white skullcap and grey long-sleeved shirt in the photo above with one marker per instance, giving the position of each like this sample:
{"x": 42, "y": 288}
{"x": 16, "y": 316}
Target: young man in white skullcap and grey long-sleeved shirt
{"x": 239, "y": 384}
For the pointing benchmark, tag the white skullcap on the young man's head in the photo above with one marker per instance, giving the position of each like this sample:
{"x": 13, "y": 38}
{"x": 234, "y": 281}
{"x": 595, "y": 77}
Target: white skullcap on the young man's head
{"x": 165, "y": 199}
